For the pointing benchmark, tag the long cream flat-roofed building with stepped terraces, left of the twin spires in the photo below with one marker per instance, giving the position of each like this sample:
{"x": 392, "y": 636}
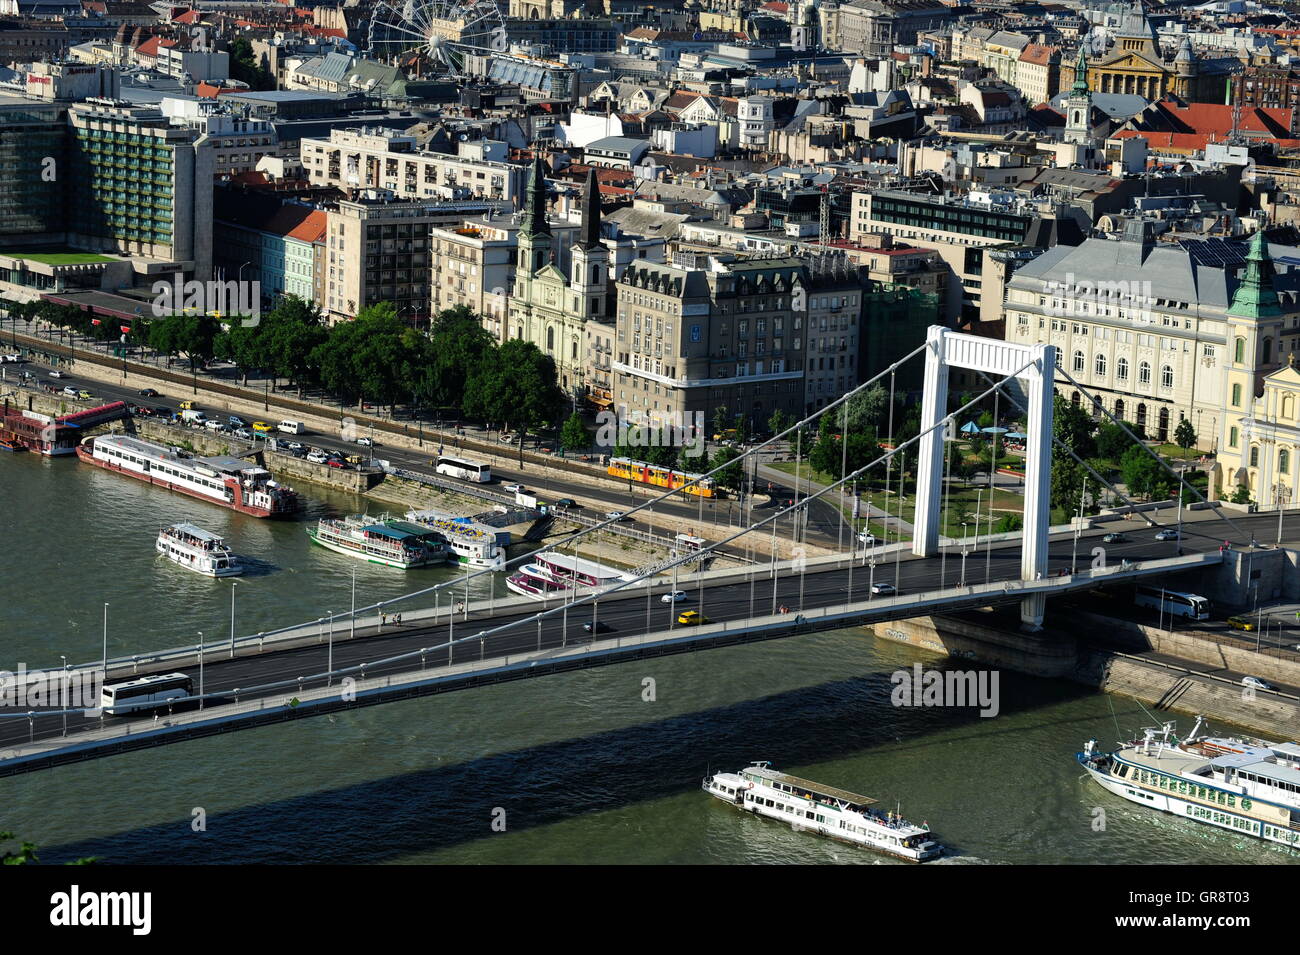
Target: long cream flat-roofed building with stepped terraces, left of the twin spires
{"x": 389, "y": 160}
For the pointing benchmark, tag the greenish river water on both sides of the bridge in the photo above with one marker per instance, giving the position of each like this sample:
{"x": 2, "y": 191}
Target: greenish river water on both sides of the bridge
{"x": 574, "y": 769}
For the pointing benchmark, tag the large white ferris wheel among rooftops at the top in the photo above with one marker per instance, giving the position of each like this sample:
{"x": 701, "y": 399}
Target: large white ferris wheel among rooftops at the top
{"x": 444, "y": 33}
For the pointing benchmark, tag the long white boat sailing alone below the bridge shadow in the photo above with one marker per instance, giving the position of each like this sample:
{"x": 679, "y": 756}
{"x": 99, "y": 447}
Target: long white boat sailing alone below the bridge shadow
{"x": 824, "y": 810}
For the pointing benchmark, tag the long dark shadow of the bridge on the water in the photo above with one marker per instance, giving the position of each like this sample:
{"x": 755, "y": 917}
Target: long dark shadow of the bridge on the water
{"x": 441, "y": 808}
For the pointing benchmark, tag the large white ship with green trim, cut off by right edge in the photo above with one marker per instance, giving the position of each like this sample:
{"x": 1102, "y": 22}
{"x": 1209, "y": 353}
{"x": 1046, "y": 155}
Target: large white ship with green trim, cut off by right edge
{"x": 1245, "y": 785}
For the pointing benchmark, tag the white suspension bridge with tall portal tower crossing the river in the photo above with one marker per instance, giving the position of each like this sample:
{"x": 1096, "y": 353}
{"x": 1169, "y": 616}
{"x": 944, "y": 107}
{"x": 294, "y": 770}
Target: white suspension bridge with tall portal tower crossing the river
{"x": 437, "y": 640}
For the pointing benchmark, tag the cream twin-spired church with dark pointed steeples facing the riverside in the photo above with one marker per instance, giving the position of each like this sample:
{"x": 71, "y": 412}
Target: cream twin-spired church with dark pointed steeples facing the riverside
{"x": 549, "y": 309}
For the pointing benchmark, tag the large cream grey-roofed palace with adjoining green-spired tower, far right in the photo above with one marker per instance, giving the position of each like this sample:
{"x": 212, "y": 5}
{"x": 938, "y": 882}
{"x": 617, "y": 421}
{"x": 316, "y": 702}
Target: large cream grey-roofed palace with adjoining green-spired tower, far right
{"x": 1156, "y": 333}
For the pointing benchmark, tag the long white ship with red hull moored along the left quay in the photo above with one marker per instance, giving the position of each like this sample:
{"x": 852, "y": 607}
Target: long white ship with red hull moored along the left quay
{"x": 231, "y": 483}
